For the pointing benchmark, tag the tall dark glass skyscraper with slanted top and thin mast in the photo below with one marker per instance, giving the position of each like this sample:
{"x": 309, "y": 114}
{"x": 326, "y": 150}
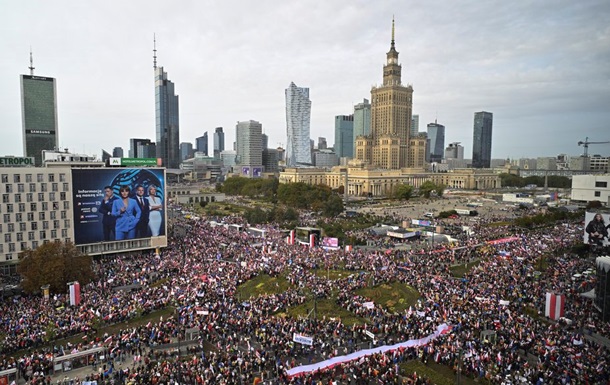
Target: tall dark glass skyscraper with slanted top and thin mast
{"x": 167, "y": 118}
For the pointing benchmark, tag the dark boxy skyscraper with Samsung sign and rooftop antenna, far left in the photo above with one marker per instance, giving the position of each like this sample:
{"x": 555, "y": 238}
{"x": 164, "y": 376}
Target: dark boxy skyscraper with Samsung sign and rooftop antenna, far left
{"x": 39, "y": 114}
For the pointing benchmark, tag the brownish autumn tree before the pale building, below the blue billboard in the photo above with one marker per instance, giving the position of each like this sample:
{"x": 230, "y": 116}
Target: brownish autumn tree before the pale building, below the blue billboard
{"x": 54, "y": 264}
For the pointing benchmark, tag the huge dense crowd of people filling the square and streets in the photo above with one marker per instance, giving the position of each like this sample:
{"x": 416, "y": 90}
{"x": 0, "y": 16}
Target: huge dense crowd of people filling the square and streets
{"x": 497, "y": 332}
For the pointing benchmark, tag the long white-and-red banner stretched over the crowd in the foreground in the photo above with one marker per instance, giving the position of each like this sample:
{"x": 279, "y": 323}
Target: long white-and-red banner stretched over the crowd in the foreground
{"x": 300, "y": 370}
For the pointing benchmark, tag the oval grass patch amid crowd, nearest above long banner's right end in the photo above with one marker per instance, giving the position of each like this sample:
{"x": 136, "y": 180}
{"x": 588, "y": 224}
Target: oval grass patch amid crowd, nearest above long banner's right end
{"x": 394, "y": 296}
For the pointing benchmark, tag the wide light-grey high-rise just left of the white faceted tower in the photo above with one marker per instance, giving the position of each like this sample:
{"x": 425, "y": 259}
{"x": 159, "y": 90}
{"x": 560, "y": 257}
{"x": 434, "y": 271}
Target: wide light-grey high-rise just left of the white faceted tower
{"x": 249, "y": 143}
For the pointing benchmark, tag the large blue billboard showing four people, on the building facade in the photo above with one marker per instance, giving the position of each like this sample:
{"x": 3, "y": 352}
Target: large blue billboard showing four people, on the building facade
{"x": 118, "y": 204}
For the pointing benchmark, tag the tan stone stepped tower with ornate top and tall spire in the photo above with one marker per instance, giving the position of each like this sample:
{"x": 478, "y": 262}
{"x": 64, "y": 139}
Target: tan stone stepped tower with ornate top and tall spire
{"x": 391, "y": 109}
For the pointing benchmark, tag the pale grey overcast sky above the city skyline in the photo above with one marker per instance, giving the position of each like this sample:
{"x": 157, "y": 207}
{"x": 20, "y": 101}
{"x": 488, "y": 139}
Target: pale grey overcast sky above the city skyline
{"x": 541, "y": 67}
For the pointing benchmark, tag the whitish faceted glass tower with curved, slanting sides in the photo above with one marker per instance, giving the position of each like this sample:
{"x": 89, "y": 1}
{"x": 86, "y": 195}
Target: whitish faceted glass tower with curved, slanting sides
{"x": 298, "y": 114}
